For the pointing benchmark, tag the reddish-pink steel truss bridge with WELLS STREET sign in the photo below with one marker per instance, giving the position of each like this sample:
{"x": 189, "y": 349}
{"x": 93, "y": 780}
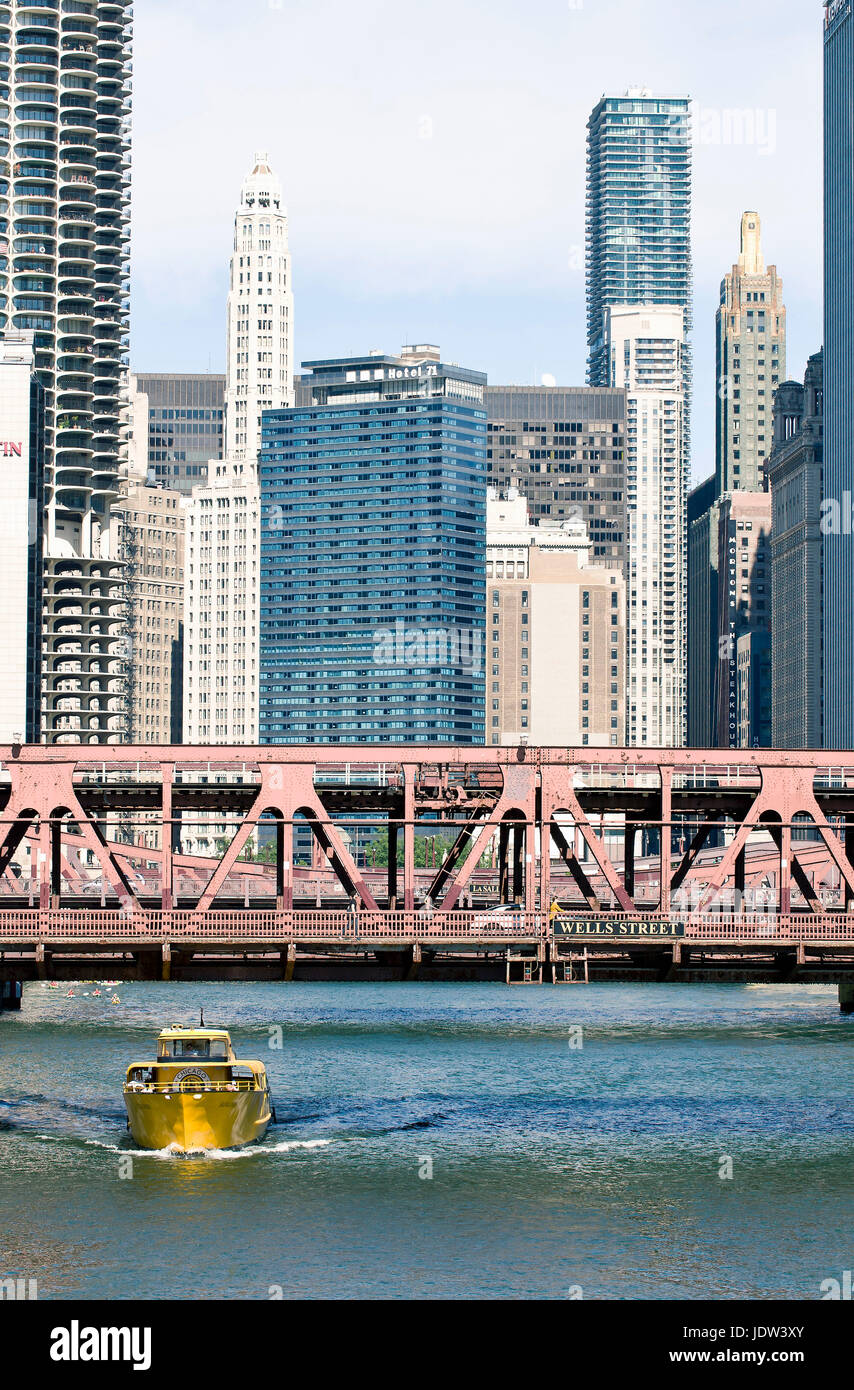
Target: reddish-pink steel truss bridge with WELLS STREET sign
{"x": 668, "y": 864}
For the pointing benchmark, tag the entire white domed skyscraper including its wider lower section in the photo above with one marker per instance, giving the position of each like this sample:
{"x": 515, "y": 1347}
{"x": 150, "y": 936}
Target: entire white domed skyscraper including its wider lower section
{"x": 223, "y": 544}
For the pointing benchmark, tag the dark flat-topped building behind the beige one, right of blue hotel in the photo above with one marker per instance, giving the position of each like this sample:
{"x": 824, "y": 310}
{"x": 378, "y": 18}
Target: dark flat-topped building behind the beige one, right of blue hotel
{"x": 564, "y": 448}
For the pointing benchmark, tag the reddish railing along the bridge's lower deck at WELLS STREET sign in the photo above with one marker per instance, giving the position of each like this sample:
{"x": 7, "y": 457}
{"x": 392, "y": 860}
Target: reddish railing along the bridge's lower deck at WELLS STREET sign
{"x": 105, "y": 926}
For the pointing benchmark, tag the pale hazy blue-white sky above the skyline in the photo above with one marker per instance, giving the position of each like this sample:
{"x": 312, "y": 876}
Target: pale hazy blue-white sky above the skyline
{"x": 433, "y": 166}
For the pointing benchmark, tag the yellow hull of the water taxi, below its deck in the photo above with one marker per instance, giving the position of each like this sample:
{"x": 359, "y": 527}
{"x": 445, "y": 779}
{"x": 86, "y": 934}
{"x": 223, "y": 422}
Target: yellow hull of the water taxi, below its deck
{"x": 188, "y": 1121}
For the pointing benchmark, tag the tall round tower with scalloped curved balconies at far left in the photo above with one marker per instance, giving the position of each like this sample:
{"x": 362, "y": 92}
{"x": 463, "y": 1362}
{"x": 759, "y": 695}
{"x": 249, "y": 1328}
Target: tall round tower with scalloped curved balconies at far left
{"x": 65, "y": 212}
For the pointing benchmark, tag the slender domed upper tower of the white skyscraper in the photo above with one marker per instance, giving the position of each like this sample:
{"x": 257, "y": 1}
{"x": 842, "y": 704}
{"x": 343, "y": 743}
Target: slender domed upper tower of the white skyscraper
{"x": 261, "y": 313}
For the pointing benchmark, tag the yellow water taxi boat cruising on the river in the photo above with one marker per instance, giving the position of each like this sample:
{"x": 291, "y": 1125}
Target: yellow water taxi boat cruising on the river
{"x": 197, "y": 1095}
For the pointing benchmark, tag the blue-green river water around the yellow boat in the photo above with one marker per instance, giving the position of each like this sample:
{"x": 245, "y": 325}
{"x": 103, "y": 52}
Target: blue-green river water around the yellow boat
{"x": 443, "y": 1140}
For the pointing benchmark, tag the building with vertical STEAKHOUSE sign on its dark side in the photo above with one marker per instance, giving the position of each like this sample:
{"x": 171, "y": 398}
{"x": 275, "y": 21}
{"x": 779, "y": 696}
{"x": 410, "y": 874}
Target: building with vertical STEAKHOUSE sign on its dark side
{"x": 743, "y": 668}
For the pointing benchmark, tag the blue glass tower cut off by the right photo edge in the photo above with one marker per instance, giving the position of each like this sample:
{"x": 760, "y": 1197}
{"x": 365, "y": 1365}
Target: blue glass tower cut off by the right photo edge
{"x": 838, "y": 621}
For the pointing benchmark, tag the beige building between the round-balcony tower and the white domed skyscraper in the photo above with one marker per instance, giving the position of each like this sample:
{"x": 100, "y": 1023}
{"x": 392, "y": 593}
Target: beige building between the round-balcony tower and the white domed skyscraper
{"x": 151, "y": 540}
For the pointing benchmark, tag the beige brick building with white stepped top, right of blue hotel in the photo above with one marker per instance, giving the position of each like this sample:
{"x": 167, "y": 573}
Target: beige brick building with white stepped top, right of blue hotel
{"x": 557, "y": 633}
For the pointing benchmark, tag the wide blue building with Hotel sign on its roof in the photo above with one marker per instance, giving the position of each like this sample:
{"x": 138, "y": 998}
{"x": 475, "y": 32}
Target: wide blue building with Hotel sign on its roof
{"x": 373, "y": 555}
